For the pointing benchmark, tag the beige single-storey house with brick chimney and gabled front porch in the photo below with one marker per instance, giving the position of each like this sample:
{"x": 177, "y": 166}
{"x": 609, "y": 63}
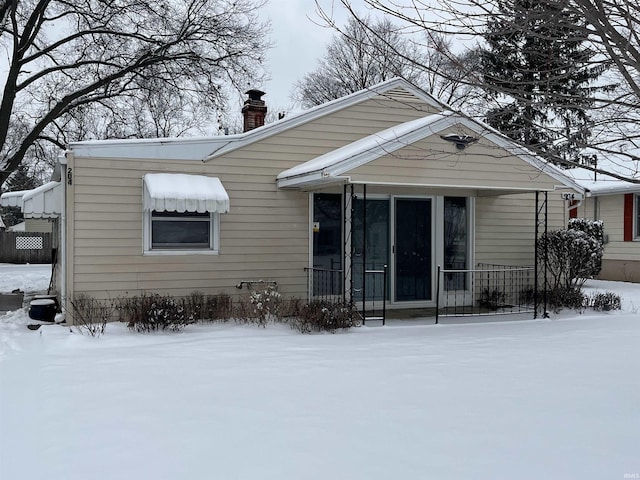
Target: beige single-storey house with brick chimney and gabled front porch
{"x": 314, "y": 203}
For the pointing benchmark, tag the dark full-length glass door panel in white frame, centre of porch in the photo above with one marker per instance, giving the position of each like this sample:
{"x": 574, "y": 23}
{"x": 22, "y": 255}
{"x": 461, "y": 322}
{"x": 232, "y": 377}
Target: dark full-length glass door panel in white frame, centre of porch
{"x": 413, "y": 249}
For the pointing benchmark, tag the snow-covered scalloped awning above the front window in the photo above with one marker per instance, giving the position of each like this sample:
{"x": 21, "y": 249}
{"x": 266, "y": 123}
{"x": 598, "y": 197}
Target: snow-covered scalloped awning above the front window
{"x": 179, "y": 192}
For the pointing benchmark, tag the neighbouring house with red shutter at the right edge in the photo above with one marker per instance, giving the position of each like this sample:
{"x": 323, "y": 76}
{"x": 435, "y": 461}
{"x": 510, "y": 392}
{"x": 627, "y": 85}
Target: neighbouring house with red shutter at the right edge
{"x": 617, "y": 203}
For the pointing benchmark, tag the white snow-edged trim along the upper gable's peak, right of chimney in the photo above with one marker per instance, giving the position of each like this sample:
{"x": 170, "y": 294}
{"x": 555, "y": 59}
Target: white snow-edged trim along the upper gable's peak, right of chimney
{"x": 234, "y": 142}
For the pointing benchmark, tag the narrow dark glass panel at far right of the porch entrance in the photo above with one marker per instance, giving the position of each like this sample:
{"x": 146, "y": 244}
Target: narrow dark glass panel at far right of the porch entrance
{"x": 455, "y": 242}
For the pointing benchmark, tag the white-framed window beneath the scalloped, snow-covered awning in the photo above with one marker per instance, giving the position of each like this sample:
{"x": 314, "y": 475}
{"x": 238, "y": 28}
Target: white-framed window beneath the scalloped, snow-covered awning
{"x": 188, "y": 231}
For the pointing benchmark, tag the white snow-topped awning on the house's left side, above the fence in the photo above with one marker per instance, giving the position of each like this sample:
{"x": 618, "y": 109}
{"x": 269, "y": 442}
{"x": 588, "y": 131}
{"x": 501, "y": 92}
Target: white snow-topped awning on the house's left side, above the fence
{"x": 41, "y": 202}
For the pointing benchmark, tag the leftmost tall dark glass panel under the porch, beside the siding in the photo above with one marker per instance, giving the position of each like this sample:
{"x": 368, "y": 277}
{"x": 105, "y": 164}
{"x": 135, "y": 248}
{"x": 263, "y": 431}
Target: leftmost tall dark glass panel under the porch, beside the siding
{"x": 327, "y": 244}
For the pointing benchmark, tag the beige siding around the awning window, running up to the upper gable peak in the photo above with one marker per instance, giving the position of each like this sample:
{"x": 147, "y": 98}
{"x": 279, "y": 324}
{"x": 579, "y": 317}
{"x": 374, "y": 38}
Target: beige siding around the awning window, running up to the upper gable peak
{"x": 265, "y": 236}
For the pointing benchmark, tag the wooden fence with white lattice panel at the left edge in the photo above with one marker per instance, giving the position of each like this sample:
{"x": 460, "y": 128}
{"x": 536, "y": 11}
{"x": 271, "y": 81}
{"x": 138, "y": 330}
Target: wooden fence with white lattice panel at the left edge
{"x": 23, "y": 247}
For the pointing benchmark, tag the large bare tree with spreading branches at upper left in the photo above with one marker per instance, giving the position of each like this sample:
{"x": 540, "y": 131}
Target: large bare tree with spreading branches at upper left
{"x": 75, "y": 59}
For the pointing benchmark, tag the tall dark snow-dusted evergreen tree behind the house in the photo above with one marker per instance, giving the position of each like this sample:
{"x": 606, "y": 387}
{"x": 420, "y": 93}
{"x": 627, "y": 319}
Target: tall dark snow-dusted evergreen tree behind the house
{"x": 541, "y": 73}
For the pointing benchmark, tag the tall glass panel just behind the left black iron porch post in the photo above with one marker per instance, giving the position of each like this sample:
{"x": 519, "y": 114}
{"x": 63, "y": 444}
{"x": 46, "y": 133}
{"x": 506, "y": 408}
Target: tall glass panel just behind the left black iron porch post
{"x": 377, "y": 247}
